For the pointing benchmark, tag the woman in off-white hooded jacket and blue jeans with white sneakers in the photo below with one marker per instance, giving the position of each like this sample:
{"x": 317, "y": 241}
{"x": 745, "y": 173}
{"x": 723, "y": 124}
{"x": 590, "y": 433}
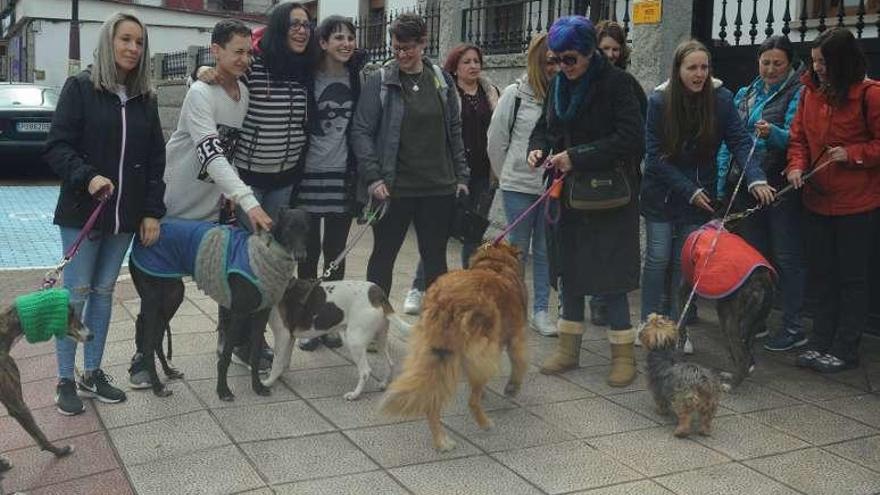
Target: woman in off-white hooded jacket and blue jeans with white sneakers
{"x": 508, "y": 138}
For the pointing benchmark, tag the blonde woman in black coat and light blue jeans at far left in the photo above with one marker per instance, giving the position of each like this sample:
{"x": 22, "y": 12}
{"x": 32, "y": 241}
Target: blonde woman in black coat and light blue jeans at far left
{"x": 106, "y": 141}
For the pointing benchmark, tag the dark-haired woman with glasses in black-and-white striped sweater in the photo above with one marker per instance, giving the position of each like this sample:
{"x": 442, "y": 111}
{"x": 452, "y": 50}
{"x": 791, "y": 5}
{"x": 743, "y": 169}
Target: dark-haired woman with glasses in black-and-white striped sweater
{"x": 270, "y": 152}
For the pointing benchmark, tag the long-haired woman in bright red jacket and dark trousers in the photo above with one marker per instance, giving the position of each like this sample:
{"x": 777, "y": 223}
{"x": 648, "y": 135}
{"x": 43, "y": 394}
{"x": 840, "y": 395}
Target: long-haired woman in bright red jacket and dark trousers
{"x": 839, "y": 121}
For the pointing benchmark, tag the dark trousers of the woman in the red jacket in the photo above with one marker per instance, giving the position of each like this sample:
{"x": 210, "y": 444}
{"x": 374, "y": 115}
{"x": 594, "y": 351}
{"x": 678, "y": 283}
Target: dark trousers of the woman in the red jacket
{"x": 838, "y": 253}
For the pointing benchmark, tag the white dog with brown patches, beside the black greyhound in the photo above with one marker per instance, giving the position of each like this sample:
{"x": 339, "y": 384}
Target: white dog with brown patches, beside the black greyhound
{"x": 358, "y": 310}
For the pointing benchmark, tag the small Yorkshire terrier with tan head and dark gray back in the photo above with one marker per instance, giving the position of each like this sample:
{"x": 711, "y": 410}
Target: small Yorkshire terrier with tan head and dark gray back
{"x": 684, "y": 388}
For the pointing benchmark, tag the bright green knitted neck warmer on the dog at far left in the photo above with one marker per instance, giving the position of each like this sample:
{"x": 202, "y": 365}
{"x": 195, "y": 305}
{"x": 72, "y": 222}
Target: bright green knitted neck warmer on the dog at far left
{"x": 43, "y": 314}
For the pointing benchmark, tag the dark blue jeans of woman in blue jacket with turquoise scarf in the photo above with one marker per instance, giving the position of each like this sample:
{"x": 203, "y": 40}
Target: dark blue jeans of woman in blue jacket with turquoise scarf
{"x": 777, "y": 232}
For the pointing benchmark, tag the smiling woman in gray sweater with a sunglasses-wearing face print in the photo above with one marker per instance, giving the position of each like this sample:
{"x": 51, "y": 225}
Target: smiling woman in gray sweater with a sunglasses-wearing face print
{"x": 327, "y": 187}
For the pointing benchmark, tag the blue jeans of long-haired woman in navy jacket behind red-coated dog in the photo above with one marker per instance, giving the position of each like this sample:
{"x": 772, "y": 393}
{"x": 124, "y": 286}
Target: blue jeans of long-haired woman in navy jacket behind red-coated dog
{"x": 662, "y": 246}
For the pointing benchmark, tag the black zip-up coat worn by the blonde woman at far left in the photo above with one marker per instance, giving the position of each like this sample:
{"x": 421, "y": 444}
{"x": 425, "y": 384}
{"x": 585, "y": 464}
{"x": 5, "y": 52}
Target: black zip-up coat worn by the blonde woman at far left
{"x": 93, "y": 133}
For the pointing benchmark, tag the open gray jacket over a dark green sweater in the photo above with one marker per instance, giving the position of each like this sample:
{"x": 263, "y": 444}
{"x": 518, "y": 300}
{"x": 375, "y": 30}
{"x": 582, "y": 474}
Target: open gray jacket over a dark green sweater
{"x": 375, "y": 130}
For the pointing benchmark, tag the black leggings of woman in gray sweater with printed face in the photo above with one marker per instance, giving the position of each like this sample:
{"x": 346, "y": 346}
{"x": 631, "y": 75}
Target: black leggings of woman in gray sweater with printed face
{"x": 336, "y": 227}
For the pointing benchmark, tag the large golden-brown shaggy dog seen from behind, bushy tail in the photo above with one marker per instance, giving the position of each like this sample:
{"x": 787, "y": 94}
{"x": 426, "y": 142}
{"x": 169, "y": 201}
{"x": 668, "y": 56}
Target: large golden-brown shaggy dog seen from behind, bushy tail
{"x": 468, "y": 318}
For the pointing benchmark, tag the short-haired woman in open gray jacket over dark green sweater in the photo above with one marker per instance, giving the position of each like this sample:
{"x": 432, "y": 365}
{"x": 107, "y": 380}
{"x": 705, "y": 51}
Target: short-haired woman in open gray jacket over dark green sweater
{"x": 407, "y": 137}
